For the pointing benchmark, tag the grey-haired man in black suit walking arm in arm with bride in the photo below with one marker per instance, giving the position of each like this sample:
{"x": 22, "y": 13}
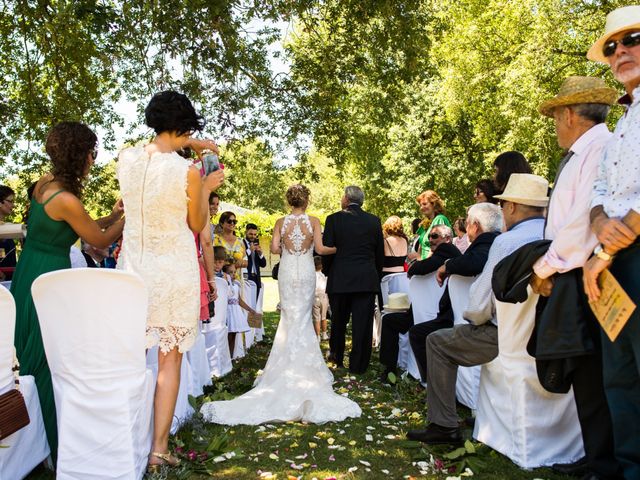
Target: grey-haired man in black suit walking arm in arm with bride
{"x": 354, "y": 277}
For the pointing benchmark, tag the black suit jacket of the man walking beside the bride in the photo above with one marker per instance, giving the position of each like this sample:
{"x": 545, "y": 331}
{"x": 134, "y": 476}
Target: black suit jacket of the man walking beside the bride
{"x": 357, "y": 265}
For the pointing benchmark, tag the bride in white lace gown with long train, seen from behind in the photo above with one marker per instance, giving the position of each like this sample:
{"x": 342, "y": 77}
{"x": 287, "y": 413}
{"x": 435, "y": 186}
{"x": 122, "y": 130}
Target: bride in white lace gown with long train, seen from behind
{"x": 296, "y": 384}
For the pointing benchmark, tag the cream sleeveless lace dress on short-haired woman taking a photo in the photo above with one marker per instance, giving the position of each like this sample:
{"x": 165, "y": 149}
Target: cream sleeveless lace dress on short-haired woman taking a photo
{"x": 158, "y": 244}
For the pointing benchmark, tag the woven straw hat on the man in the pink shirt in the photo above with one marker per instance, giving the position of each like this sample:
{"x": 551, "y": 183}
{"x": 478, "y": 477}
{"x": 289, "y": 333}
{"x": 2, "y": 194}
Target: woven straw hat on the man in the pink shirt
{"x": 577, "y": 90}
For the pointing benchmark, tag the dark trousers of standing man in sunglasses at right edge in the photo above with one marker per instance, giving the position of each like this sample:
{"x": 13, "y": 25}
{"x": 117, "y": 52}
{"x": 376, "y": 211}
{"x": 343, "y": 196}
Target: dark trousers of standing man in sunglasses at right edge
{"x": 621, "y": 368}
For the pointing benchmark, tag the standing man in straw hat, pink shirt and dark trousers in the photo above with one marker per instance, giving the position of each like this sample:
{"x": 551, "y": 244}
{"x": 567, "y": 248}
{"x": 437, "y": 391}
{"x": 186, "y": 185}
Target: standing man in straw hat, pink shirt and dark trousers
{"x": 579, "y": 112}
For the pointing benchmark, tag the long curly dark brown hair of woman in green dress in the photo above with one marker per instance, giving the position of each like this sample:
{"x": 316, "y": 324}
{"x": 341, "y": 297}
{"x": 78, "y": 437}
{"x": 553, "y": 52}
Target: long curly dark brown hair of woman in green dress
{"x": 68, "y": 145}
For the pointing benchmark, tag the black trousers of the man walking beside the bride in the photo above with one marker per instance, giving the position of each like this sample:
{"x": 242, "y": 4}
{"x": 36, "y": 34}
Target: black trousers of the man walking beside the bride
{"x": 359, "y": 307}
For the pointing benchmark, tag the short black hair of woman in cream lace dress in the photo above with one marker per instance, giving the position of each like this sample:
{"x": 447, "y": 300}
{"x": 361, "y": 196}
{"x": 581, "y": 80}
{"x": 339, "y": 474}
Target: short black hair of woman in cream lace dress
{"x": 170, "y": 111}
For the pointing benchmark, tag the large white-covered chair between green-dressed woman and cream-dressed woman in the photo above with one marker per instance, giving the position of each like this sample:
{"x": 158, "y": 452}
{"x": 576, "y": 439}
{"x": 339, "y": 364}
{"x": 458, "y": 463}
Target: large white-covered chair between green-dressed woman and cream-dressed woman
{"x": 102, "y": 389}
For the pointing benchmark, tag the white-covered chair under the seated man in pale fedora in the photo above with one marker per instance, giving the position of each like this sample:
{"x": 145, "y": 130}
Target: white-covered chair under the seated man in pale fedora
{"x": 516, "y": 416}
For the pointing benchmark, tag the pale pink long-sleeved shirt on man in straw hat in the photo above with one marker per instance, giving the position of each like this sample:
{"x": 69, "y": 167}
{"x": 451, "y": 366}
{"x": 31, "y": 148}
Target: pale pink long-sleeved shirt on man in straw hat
{"x": 568, "y": 218}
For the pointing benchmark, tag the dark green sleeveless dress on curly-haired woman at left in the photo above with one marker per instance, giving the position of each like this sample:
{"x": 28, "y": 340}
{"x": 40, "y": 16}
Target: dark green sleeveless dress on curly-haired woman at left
{"x": 46, "y": 249}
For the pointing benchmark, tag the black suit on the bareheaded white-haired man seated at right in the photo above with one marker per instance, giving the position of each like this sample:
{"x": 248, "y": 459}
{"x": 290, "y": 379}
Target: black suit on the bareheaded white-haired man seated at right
{"x": 469, "y": 264}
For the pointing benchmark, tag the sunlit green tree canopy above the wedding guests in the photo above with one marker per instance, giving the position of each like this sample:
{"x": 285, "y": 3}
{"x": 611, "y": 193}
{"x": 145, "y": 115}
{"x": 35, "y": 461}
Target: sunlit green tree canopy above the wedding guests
{"x": 396, "y": 95}
